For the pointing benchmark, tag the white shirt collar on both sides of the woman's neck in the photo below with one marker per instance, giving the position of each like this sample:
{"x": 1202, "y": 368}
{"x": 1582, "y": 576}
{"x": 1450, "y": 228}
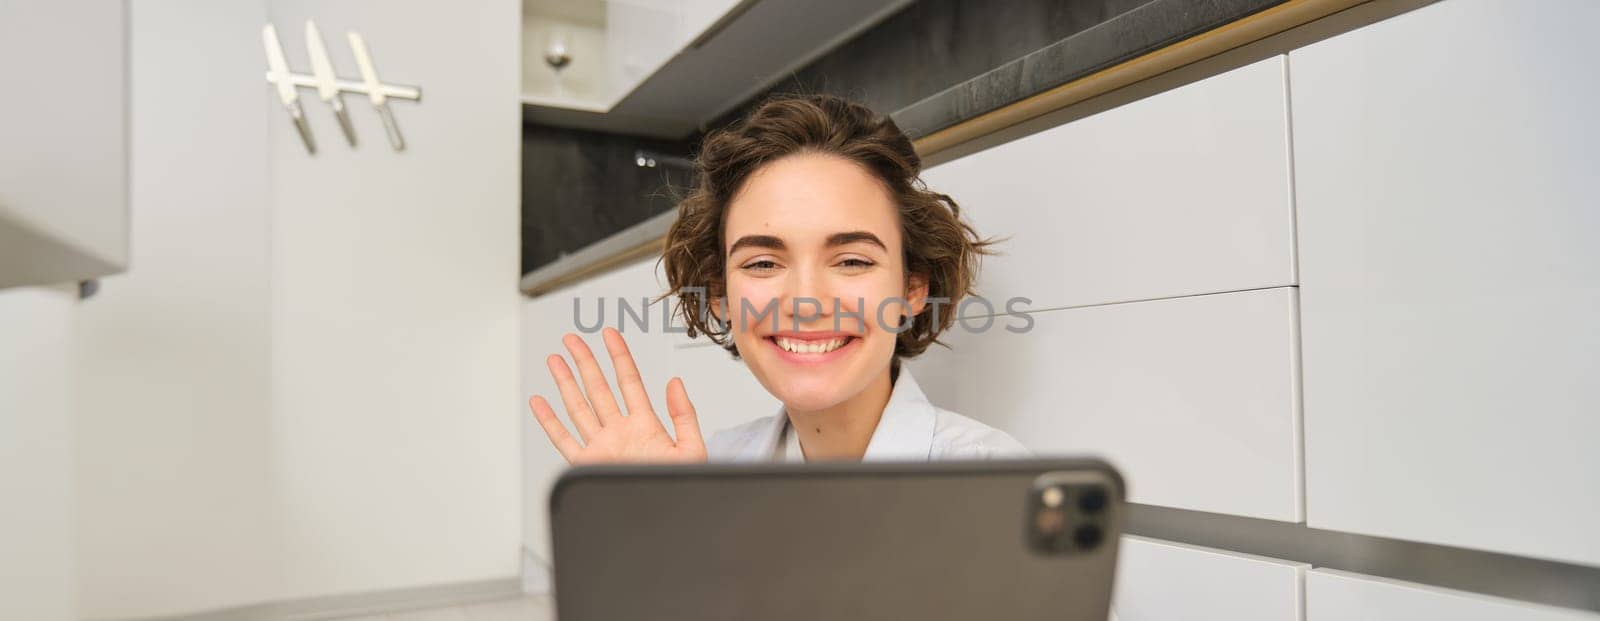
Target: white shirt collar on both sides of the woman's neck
{"x": 905, "y": 433}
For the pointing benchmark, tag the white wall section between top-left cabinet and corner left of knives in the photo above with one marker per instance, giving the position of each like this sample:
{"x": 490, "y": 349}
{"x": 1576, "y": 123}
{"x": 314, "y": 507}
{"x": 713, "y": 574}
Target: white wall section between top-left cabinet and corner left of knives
{"x": 175, "y": 449}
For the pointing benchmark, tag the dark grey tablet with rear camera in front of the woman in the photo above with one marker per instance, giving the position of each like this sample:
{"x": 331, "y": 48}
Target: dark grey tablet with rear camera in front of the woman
{"x": 993, "y": 540}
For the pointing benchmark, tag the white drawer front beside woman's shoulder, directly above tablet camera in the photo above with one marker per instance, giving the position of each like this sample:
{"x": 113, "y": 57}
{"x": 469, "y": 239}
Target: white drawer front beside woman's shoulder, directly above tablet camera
{"x": 1194, "y": 399}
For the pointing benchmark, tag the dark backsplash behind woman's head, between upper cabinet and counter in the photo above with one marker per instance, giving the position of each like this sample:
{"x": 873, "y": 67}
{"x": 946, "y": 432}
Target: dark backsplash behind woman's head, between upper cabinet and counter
{"x": 582, "y": 186}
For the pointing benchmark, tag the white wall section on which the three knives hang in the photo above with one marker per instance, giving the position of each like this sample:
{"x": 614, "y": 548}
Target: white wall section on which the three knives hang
{"x": 394, "y": 306}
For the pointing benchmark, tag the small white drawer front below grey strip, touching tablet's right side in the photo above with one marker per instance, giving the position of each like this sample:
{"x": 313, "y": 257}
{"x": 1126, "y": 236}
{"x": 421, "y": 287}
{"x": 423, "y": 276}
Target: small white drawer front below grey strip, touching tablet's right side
{"x": 1162, "y": 580}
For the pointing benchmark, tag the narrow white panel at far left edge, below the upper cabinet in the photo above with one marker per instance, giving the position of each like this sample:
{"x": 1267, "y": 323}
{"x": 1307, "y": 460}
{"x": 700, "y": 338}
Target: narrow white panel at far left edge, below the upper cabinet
{"x": 36, "y": 454}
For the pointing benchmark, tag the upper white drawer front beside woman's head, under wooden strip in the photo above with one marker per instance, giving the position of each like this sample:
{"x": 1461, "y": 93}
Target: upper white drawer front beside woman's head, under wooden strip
{"x": 1177, "y": 194}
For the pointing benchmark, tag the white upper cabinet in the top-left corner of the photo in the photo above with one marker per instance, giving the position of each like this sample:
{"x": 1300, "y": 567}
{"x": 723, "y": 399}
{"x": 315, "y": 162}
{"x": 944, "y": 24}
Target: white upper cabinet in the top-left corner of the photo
{"x": 63, "y": 142}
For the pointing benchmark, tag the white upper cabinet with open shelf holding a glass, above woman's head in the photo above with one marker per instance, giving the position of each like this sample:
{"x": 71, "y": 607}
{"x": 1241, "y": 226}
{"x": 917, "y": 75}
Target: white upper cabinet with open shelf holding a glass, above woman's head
{"x": 665, "y": 68}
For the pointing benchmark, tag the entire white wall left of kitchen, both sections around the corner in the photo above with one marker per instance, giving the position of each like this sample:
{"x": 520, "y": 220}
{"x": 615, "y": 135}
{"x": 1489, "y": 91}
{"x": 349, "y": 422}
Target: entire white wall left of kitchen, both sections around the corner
{"x": 306, "y": 385}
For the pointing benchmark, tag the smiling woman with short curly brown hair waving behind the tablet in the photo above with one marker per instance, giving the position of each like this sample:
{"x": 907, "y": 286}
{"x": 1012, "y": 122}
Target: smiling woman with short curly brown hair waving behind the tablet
{"x": 823, "y": 263}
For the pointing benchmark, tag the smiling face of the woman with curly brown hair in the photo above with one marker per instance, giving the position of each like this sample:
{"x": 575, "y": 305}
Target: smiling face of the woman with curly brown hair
{"x": 814, "y": 242}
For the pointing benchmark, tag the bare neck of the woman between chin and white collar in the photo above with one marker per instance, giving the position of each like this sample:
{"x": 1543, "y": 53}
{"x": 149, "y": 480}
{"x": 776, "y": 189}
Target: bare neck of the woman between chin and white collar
{"x": 846, "y": 430}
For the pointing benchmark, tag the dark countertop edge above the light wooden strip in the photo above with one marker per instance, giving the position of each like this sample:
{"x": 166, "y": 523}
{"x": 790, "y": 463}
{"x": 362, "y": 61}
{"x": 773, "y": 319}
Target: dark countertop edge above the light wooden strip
{"x": 1130, "y": 34}
